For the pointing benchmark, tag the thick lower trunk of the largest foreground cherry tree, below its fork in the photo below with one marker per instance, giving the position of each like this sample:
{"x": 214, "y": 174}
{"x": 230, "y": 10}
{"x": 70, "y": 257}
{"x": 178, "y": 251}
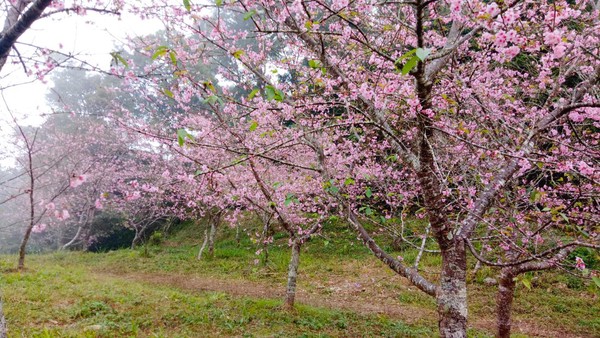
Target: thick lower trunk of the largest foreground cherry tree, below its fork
{"x": 452, "y": 293}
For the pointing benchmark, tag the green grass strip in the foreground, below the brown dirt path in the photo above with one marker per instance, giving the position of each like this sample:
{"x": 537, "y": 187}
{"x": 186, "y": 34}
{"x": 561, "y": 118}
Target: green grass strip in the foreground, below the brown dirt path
{"x": 66, "y": 299}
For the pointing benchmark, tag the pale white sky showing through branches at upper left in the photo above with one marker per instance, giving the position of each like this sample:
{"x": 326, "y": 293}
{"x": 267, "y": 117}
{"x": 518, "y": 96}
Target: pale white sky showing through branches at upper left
{"x": 92, "y": 37}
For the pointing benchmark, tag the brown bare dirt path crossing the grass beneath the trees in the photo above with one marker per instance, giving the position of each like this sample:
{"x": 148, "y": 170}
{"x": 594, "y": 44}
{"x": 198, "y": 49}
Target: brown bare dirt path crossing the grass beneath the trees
{"x": 367, "y": 294}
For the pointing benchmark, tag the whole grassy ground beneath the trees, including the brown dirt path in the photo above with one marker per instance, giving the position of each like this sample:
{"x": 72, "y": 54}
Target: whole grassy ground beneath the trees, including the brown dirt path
{"x": 343, "y": 291}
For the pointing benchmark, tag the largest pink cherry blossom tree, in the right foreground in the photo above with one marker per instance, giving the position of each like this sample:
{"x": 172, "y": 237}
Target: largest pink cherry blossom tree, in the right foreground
{"x": 443, "y": 106}
